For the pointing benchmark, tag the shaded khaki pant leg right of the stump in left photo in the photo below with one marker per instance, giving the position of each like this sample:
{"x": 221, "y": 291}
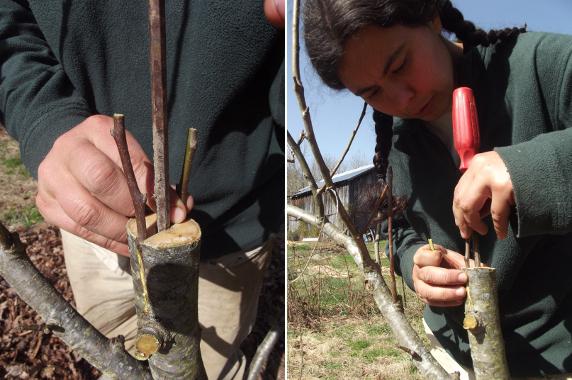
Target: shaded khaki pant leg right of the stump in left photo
{"x": 229, "y": 289}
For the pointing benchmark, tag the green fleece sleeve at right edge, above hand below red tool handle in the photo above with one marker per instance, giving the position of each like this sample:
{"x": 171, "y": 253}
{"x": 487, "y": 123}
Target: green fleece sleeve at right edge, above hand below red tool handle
{"x": 541, "y": 168}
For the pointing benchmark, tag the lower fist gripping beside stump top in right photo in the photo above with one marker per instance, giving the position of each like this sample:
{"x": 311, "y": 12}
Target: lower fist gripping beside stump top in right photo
{"x": 437, "y": 276}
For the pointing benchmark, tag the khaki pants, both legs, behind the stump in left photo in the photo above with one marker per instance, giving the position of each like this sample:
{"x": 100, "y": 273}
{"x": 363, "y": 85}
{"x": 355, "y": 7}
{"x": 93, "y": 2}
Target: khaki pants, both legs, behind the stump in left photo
{"x": 229, "y": 289}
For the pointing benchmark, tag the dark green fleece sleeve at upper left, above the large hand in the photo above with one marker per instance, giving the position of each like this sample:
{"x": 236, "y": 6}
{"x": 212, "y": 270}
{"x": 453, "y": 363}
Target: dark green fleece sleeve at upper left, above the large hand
{"x": 37, "y": 101}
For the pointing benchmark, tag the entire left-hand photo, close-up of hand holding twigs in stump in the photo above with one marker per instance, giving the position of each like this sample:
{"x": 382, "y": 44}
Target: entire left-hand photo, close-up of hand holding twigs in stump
{"x": 142, "y": 187}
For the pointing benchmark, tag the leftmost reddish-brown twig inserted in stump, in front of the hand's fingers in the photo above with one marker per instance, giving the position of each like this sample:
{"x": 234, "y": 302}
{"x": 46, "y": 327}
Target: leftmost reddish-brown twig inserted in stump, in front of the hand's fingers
{"x": 118, "y": 133}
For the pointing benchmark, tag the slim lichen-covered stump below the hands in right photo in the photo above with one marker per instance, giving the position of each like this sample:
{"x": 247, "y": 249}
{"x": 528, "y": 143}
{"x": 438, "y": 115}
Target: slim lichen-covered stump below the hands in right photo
{"x": 482, "y": 322}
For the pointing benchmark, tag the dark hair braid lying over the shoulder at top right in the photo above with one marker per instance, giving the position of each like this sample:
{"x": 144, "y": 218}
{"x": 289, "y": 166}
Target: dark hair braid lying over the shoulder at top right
{"x": 468, "y": 33}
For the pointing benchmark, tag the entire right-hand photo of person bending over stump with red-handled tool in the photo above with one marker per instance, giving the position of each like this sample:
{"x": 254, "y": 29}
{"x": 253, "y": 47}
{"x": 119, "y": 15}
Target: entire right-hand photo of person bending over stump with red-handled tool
{"x": 429, "y": 189}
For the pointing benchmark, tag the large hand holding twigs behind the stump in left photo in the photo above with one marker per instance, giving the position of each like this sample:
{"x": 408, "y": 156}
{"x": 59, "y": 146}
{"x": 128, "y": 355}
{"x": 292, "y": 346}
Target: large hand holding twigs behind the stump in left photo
{"x": 82, "y": 188}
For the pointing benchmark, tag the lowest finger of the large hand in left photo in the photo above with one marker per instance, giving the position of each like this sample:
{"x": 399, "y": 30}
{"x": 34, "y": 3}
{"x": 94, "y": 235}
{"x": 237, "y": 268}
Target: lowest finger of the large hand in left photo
{"x": 53, "y": 214}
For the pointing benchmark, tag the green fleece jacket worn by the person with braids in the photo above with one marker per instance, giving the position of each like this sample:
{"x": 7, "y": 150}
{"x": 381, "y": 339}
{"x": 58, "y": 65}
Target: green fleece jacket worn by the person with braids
{"x": 523, "y": 92}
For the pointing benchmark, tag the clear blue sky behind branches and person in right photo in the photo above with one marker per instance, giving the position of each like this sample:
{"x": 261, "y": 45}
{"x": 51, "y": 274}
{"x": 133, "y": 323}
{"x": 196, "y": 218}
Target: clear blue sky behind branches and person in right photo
{"x": 335, "y": 113}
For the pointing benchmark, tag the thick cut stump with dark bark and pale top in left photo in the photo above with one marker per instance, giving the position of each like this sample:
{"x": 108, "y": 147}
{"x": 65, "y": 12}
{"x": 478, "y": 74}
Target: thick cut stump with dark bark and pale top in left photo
{"x": 167, "y": 302}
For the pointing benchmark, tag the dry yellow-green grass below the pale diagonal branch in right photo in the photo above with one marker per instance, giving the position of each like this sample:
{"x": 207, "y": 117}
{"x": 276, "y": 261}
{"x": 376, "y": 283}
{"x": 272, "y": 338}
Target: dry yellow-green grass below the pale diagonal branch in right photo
{"x": 334, "y": 328}
